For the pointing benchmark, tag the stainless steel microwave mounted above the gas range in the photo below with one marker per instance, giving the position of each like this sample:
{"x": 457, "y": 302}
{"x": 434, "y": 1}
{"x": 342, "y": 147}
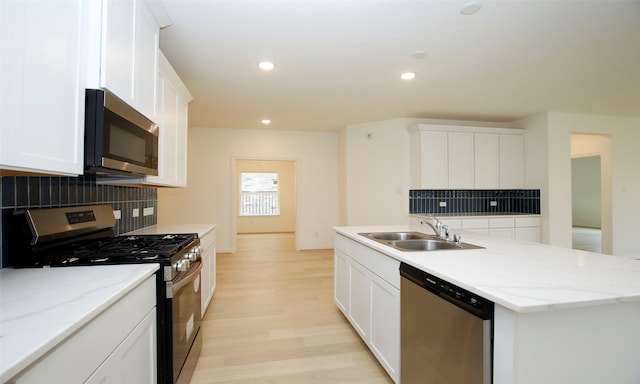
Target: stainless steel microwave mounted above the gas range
{"x": 118, "y": 139}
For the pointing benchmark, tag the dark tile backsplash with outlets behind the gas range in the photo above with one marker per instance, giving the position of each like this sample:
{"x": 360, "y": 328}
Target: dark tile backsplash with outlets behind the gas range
{"x": 20, "y": 192}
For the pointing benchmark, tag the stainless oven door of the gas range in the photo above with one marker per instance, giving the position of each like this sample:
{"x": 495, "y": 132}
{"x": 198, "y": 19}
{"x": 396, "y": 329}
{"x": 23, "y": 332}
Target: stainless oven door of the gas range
{"x": 186, "y": 317}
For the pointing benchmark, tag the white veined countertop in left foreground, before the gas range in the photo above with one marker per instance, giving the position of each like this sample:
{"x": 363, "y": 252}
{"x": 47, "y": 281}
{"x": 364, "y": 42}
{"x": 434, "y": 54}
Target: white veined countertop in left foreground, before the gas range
{"x": 40, "y": 307}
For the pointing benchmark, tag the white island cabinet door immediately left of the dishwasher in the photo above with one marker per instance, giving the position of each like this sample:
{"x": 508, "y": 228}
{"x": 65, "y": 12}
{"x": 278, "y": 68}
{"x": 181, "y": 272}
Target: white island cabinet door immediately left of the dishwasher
{"x": 385, "y": 325}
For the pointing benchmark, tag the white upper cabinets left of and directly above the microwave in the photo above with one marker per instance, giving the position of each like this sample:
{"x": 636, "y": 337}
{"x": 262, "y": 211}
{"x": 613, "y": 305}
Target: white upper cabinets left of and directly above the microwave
{"x": 51, "y": 51}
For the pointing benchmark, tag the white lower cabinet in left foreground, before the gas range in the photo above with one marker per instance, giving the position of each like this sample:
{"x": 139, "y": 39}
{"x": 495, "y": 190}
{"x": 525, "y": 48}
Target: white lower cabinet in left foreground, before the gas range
{"x": 117, "y": 346}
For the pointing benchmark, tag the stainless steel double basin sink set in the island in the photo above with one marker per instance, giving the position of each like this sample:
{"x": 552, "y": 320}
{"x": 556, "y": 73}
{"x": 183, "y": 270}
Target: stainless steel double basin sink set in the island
{"x": 416, "y": 241}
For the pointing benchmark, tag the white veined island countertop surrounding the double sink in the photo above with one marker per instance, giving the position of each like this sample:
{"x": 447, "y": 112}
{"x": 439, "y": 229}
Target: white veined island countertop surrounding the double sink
{"x": 521, "y": 276}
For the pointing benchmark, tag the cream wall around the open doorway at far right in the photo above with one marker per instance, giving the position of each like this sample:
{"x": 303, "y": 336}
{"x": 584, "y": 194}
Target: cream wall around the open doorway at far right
{"x": 548, "y": 162}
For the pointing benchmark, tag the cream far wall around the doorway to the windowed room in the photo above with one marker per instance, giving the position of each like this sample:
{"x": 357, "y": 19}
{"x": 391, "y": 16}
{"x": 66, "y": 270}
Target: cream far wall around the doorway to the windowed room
{"x": 208, "y": 197}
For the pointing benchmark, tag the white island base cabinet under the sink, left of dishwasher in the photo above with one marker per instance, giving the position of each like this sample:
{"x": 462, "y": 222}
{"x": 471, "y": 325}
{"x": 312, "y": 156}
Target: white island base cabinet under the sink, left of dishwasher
{"x": 367, "y": 291}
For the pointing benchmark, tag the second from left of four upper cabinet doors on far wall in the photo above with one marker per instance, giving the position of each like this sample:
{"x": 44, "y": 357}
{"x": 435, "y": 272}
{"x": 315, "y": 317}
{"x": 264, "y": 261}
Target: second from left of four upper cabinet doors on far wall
{"x": 460, "y": 158}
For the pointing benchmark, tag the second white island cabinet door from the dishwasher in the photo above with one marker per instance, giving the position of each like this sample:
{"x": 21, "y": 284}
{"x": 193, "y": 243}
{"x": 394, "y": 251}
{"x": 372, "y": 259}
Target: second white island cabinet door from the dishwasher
{"x": 359, "y": 299}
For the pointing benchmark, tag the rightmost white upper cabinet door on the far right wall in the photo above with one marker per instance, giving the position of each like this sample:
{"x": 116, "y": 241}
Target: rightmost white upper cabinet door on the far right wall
{"x": 511, "y": 161}
